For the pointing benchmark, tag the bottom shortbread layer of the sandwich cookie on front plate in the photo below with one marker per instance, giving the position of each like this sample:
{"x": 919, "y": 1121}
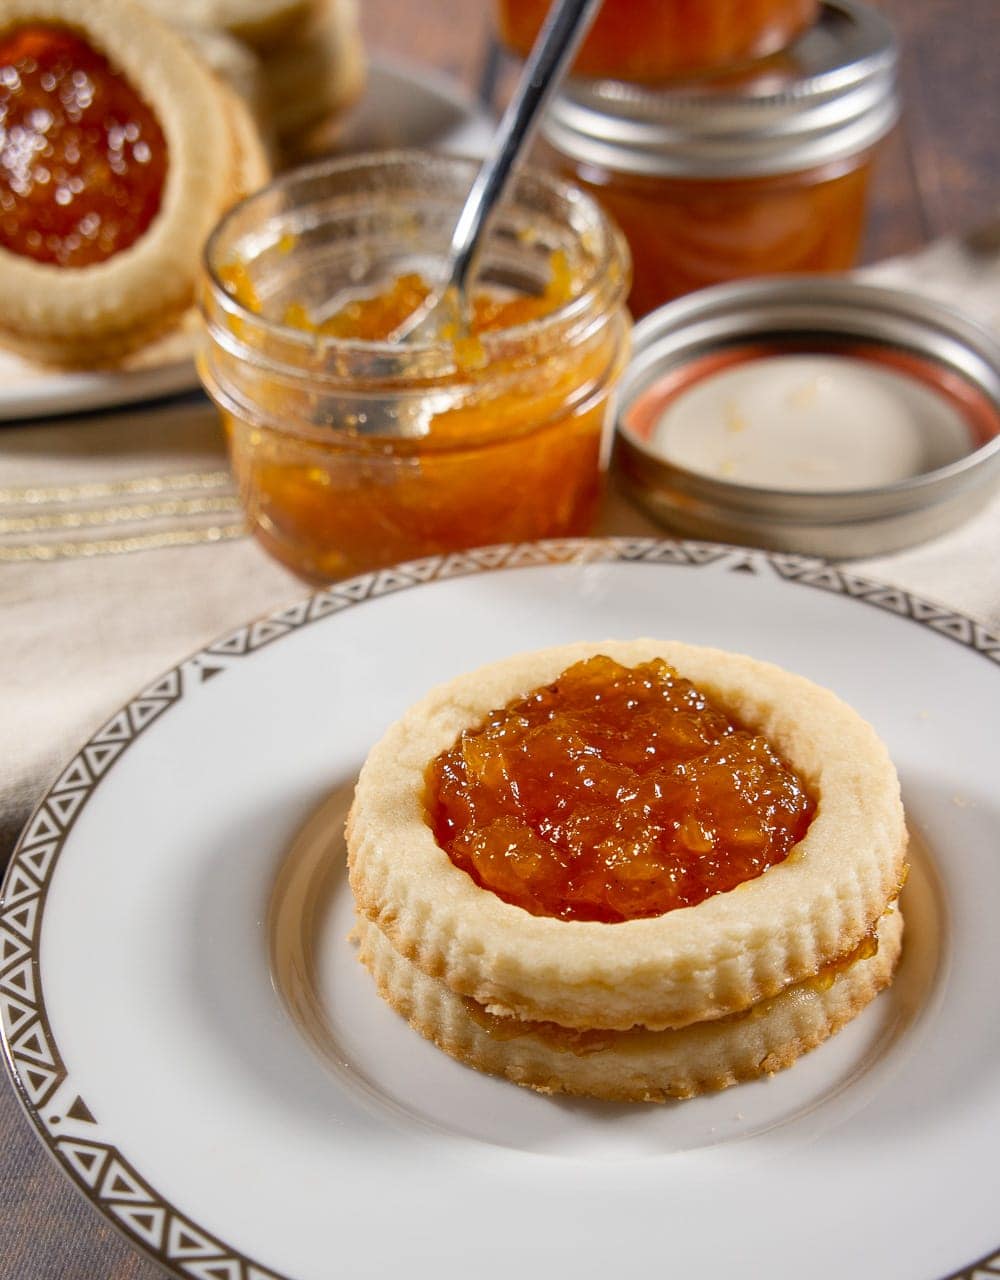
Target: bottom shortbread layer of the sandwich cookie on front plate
{"x": 638, "y": 1066}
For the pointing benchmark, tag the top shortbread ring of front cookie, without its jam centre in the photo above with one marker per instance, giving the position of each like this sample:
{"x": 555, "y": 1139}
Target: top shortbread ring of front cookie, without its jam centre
{"x": 688, "y": 966}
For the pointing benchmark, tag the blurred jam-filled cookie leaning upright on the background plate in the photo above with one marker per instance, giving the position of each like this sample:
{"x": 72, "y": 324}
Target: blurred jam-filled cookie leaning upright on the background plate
{"x": 124, "y": 152}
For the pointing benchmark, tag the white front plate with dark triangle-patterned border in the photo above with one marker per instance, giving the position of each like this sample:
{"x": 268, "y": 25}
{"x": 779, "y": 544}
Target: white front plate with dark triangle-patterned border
{"x": 202, "y": 1053}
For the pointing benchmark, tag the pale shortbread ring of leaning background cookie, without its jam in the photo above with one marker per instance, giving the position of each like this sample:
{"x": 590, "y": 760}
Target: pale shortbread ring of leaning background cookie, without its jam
{"x": 80, "y": 317}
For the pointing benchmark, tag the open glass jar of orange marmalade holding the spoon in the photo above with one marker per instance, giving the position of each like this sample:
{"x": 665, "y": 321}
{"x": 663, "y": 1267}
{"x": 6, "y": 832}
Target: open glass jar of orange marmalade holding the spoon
{"x": 354, "y": 451}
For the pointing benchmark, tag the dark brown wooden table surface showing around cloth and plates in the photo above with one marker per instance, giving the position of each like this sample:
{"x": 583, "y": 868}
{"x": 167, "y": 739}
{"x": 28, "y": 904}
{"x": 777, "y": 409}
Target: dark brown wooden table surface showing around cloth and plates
{"x": 939, "y": 175}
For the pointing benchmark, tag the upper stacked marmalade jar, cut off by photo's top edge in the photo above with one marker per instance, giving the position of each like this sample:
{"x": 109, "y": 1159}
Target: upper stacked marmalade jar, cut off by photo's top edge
{"x": 656, "y": 40}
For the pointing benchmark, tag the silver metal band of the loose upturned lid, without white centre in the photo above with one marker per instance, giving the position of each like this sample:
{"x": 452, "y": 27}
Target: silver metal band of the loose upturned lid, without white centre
{"x": 939, "y": 348}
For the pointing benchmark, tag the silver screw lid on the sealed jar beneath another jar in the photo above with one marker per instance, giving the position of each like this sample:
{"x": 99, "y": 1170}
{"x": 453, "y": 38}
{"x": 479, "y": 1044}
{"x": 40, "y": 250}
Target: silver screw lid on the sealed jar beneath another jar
{"x": 829, "y": 97}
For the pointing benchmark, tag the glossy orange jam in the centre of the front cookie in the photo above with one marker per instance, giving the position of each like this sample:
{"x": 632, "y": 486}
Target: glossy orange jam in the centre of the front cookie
{"x": 614, "y": 794}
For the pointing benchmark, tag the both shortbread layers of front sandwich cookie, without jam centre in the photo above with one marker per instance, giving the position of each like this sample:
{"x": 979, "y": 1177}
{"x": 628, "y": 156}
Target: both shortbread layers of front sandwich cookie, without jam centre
{"x": 700, "y": 998}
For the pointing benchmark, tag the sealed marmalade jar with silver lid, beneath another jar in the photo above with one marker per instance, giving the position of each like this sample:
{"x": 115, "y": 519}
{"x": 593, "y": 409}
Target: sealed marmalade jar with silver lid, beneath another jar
{"x": 747, "y": 175}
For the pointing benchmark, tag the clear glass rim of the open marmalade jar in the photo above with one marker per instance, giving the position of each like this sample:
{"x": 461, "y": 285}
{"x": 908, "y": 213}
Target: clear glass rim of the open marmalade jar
{"x": 613, "y": 250}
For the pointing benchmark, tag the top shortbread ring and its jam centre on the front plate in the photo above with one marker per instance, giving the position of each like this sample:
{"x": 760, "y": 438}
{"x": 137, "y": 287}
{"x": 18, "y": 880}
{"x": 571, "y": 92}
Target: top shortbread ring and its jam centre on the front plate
{"x": 714, "y": 947}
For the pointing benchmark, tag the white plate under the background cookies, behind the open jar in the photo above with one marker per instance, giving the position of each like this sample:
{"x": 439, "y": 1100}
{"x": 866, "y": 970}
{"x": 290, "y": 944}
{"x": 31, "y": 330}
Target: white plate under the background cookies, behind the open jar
{"x": 403, "y": 107}
